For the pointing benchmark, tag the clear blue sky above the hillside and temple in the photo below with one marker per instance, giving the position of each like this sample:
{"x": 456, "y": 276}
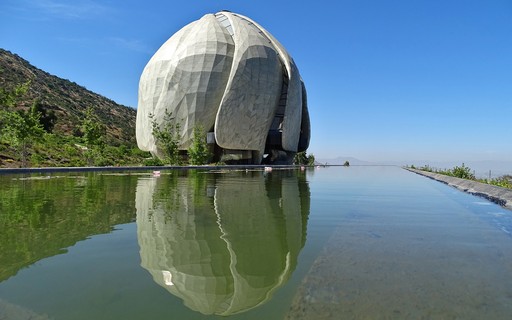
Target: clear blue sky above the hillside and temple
{"x": 395, "y": 80}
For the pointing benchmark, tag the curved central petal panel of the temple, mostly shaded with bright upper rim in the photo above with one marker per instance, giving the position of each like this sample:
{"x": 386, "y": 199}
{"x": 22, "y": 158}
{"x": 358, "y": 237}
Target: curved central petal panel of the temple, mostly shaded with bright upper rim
{"x": 252, "y": 92}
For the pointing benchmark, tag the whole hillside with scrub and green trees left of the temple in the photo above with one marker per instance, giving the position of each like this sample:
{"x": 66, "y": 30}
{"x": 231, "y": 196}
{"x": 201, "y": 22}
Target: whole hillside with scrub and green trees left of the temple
{"x": 68, "y": 116}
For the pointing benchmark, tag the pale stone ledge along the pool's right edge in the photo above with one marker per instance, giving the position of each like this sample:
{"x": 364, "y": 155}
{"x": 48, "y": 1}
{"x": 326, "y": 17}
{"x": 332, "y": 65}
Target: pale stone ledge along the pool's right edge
{"x": 498, "y": 195}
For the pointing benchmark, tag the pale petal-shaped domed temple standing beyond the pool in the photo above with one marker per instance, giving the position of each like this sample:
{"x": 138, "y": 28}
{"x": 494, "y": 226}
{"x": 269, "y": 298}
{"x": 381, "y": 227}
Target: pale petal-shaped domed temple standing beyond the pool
{"x": 228, "y": 75}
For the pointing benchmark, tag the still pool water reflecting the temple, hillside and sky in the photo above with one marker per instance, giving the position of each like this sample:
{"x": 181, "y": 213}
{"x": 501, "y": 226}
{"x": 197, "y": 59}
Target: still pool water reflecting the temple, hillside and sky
{"x": 328, "y": 243}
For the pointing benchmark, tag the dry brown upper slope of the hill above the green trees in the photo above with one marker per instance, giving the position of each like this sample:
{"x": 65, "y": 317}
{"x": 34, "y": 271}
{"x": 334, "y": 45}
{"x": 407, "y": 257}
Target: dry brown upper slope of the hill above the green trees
{"x": 67, "y": 100}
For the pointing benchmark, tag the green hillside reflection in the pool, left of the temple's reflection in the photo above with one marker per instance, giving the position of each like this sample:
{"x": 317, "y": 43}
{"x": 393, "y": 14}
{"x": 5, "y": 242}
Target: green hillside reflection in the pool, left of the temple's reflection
{"x": 42, "y": 216}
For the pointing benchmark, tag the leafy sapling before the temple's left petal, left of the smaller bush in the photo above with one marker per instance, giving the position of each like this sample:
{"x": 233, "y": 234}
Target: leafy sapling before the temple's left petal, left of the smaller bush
{"x": 167, "y": 137}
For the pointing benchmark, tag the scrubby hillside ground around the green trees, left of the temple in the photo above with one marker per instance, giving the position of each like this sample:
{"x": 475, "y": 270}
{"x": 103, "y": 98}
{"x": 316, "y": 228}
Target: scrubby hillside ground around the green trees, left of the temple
{"x": 69, "y": 102}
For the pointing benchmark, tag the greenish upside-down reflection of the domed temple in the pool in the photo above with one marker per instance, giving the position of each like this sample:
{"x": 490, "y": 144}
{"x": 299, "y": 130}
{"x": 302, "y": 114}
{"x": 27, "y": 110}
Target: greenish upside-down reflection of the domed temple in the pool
{"x": 223, "y": 243}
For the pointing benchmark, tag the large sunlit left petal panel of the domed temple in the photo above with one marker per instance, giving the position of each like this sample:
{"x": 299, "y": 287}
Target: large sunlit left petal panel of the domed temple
{"x": 185, "y": 77}
